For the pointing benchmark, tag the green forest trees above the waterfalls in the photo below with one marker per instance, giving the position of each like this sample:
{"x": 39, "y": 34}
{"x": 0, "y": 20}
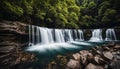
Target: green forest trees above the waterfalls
{"x": 63, "y": 13}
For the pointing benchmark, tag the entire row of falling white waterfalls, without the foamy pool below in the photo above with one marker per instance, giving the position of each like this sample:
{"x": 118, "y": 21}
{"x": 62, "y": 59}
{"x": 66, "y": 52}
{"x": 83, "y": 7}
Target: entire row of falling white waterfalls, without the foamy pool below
{"x": 42, "y": 35}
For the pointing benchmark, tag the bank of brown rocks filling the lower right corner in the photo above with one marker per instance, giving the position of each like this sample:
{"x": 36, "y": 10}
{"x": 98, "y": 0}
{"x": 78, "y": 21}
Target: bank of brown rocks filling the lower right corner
{"x": 99, "y": 57}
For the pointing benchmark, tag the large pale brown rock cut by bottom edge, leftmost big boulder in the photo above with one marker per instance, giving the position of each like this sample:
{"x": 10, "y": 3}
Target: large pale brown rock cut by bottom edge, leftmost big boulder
{"x": 73, "y": 64}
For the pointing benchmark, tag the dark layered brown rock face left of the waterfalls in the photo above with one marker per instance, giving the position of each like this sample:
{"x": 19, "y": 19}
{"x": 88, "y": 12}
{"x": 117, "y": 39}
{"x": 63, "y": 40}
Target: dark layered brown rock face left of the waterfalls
{"x": 13, "y": 37}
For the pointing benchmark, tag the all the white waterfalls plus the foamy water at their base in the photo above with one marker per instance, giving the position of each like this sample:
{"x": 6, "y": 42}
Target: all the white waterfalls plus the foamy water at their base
{"x": 60, "y": 41}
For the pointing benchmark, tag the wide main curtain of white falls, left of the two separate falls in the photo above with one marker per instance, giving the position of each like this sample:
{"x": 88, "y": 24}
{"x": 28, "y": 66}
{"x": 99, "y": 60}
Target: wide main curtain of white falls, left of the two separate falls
{"x": 41, "y": 35}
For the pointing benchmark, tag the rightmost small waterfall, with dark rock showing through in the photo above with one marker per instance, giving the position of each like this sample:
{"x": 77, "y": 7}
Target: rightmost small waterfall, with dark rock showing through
{"x": 110, "y": 35}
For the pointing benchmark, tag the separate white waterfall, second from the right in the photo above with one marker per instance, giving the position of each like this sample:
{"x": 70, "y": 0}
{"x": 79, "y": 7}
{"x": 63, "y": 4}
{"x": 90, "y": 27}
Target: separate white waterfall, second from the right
{"x": 96, "y": 35}
